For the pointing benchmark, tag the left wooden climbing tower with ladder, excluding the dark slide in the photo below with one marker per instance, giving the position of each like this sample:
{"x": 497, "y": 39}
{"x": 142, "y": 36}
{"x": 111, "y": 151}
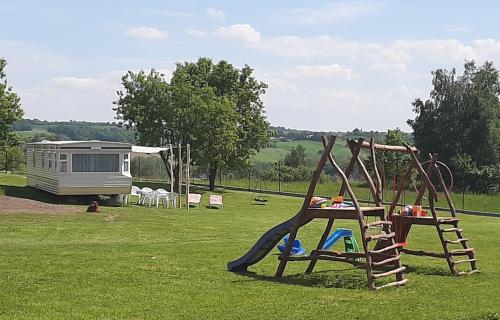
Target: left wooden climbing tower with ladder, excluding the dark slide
{"x": 373, "y": 259}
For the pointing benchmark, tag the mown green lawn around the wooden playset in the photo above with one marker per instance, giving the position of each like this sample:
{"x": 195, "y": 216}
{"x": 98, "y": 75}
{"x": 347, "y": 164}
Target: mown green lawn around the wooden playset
{"x": 146, "y": 263}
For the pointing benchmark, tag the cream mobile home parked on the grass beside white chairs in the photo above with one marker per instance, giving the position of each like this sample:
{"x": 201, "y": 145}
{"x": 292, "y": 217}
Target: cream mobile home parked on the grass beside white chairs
{"x": 79, "y": 167}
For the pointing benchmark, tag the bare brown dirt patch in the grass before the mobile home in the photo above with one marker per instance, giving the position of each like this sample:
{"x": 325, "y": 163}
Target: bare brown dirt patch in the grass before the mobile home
{"x": 21, "y": 205}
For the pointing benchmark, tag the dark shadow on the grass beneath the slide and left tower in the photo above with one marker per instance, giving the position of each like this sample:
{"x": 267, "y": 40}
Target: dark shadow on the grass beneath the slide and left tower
{"x": 324, "y": 279}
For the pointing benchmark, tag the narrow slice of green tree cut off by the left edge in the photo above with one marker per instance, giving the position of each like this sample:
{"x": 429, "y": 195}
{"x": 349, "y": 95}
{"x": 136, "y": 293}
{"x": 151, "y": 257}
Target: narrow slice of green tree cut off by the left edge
{"x": 10, "y": 112}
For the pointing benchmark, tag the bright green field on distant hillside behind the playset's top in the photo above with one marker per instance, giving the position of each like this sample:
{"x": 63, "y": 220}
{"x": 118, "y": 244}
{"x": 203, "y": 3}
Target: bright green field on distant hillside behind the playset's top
{"x": 313, "y": 151}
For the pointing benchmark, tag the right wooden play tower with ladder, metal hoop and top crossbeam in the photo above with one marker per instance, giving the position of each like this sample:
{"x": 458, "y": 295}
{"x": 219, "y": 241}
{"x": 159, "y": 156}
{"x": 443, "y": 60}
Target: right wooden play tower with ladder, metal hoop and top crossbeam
{"x": 403, "y": 221}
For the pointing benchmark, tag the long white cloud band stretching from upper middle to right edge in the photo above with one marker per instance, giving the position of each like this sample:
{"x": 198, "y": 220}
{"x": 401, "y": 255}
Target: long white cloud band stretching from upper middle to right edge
{"x": 395, "y": 54}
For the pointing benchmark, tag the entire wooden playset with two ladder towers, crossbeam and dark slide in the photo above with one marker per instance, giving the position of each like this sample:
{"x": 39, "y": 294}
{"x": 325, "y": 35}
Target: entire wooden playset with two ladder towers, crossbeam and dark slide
{"x": 380, "y": 250}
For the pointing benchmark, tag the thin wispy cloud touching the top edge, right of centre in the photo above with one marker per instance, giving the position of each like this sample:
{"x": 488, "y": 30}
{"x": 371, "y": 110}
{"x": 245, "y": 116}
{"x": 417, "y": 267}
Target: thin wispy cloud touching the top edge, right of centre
{"x": 332, "y": 13}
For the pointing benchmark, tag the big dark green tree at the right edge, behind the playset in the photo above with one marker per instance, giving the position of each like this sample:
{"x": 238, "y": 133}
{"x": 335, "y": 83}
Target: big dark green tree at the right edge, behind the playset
{"x": 461, "y": 117}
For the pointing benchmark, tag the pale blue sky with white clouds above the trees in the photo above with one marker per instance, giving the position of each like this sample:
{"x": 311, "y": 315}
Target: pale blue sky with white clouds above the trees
{"x": 329, "y": 65}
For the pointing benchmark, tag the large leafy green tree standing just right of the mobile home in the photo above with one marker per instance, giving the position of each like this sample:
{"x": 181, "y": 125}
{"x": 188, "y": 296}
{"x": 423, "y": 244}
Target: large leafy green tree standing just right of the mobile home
{"x": 216, "y": 108}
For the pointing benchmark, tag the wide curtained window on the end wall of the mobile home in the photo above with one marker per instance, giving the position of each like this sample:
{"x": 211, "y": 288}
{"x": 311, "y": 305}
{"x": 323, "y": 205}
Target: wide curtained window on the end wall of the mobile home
{"x": 95, "y": 163}
